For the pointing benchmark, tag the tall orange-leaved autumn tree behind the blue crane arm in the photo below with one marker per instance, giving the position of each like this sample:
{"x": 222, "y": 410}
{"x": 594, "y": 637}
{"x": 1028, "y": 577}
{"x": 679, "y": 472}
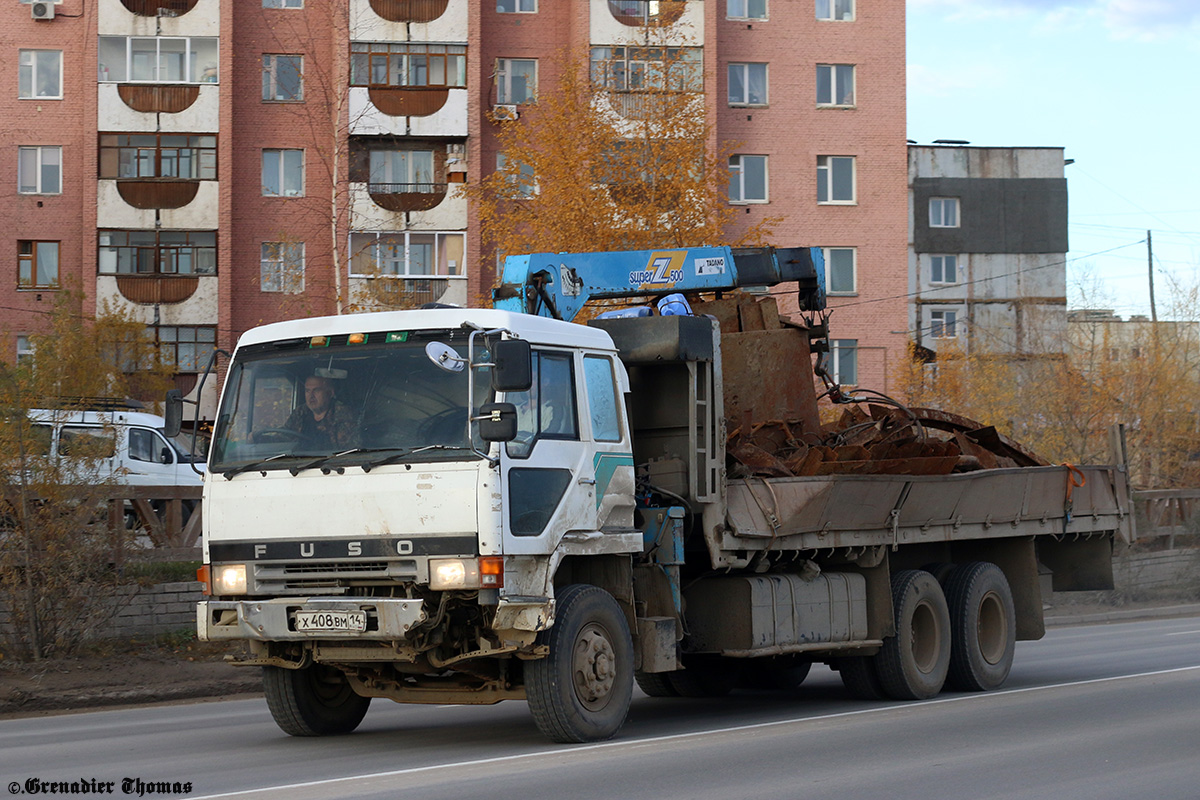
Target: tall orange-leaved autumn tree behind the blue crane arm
{"x": 604, "y": 165}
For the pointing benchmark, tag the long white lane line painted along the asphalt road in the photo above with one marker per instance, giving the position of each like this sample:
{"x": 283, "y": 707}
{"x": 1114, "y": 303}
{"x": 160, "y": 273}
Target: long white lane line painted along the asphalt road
{"x": 680, "y": 737}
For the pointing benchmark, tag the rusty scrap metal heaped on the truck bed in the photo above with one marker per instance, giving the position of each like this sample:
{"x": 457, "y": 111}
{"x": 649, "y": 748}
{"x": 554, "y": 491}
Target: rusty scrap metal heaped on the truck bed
{"x": 773, "y": 422}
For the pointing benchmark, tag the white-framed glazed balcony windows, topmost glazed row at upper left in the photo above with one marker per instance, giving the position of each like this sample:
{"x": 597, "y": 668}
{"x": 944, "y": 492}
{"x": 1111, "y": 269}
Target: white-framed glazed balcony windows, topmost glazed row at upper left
{"x": 158, "y": 59}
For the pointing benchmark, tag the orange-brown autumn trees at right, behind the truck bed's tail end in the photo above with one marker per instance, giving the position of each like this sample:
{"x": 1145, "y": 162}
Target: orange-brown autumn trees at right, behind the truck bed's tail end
{"x": 1143, "y": 375}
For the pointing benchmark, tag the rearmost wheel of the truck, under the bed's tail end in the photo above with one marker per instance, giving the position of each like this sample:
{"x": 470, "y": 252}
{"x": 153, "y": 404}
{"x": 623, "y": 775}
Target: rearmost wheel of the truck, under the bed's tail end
{"x": 983, "y": 627}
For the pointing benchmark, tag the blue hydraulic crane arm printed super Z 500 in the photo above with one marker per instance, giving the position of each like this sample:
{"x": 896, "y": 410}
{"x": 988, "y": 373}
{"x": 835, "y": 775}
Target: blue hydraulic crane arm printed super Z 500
{"x": 560, "y": 285}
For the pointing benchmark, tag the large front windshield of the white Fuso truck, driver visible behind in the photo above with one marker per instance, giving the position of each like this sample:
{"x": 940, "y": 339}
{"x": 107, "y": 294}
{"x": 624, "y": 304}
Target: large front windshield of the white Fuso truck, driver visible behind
{"x": 305, "y": 404}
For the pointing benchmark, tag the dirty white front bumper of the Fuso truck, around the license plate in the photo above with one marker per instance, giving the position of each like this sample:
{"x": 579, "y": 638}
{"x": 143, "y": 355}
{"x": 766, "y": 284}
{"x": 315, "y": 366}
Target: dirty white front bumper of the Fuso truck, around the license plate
{"x": 272, "y": 621}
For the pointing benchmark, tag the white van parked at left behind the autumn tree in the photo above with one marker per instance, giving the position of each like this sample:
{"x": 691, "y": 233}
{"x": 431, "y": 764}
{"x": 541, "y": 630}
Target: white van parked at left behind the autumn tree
{"x": 131, "y": 446}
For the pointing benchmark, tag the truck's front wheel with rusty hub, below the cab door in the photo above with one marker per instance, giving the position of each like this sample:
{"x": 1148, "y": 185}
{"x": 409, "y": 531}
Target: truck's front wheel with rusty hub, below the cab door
{"x": 581, "y": 691}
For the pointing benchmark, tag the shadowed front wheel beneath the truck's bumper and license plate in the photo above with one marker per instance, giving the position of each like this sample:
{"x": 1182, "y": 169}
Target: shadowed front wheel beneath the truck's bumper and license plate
{"x": 316, "y": 701}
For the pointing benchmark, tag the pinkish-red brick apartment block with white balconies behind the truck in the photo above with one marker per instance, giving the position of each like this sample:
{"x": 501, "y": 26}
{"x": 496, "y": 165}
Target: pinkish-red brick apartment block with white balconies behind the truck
{"x": 214, "y": 165}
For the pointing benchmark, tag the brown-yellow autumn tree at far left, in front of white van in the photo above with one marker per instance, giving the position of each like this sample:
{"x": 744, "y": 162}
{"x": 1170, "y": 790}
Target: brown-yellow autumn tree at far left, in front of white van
{"x": 57, "y": 540}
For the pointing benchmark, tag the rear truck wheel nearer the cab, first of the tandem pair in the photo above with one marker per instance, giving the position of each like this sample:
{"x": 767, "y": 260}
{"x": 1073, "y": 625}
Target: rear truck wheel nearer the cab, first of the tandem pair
{"x": 914, "y": 664}
